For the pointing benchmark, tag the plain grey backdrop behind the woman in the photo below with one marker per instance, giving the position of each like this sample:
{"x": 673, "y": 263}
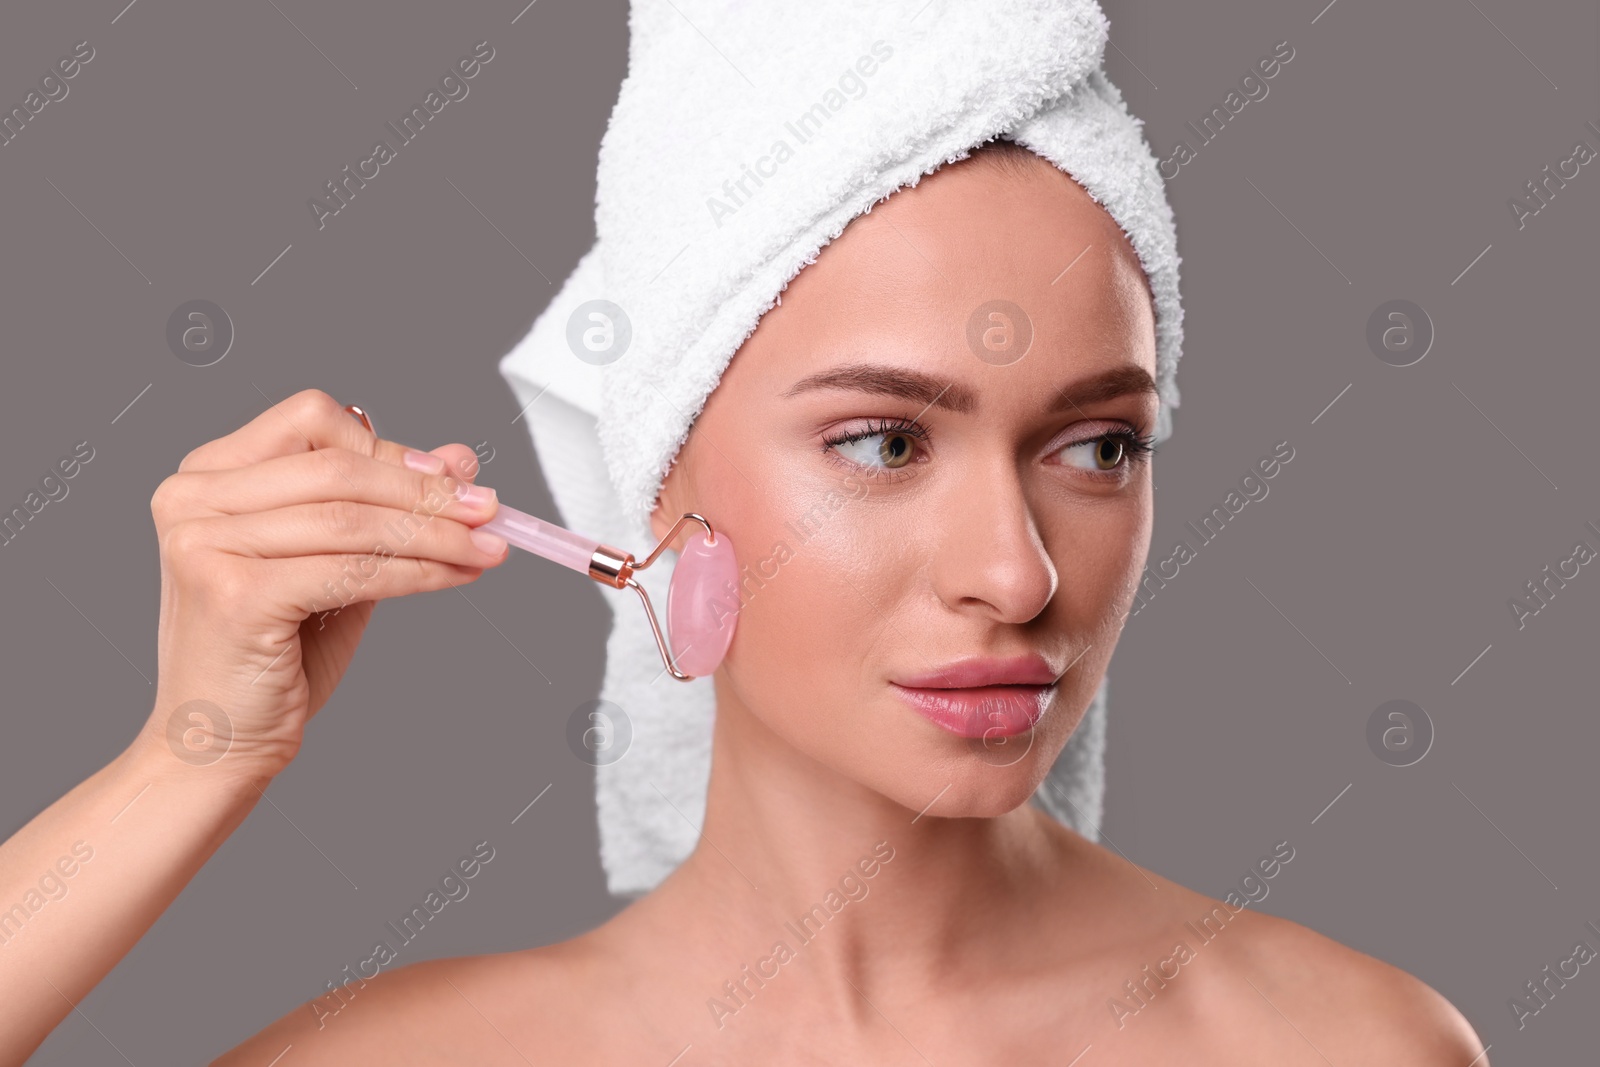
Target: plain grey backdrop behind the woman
{"x": 1378, "y": 567}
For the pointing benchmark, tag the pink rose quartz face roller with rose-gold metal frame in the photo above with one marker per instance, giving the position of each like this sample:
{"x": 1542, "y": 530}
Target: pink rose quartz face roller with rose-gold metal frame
{"x": 702, "y": 601}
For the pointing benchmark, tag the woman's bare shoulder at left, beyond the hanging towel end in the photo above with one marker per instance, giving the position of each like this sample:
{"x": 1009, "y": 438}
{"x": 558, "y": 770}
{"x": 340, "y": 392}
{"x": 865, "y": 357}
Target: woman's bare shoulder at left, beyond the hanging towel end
{"x": 484, "y": 1010}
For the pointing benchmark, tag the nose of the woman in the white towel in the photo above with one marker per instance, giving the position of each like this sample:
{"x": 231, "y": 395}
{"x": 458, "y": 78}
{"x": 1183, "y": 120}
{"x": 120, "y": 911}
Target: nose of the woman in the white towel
{"x": 991, "y": 557}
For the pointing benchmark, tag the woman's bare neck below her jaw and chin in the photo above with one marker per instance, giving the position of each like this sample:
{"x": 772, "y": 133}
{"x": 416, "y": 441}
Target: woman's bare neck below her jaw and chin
{"x": 794, "y": 852}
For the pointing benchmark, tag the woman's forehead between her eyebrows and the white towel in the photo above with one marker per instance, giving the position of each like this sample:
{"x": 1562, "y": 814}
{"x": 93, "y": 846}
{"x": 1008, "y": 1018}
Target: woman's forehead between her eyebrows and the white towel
{"x": 934, "y": 279}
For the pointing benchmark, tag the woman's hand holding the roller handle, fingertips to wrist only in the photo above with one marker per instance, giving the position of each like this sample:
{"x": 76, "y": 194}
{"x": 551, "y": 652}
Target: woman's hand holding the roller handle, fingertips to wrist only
{"x": 276, "y": 543}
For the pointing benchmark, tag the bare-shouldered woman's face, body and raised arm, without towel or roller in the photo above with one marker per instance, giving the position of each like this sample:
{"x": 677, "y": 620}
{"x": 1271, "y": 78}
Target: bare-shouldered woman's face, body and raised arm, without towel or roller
{"x": 999, "y": 527}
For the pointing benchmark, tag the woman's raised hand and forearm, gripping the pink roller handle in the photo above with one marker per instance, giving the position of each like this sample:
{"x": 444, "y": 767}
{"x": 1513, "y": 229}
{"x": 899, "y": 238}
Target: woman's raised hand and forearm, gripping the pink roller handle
{"x": 276, "y": 541}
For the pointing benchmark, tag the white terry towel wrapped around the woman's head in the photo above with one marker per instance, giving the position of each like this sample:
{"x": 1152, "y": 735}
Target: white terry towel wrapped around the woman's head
{"x": 745, "y": 138}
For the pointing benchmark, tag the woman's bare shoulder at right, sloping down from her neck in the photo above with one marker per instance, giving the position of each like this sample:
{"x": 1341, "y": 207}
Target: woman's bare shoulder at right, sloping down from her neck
{"x": 1201, "y": 981}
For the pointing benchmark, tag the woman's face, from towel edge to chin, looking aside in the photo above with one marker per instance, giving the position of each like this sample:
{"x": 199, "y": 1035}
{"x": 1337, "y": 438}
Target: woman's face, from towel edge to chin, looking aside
{"x": 991, "y": 506}
